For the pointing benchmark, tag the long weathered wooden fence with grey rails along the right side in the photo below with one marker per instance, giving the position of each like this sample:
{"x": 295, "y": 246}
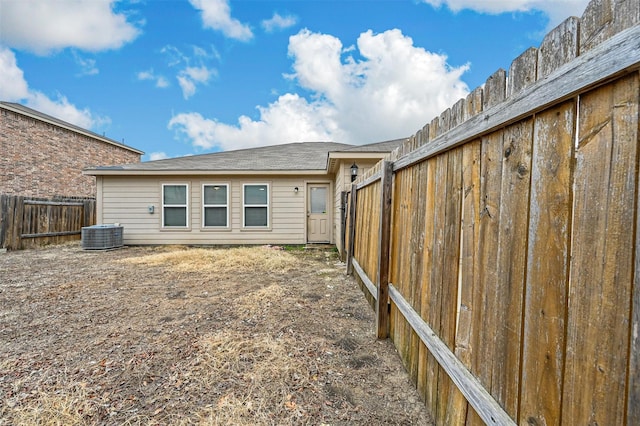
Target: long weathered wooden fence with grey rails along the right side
{"x": 500, "y": 244}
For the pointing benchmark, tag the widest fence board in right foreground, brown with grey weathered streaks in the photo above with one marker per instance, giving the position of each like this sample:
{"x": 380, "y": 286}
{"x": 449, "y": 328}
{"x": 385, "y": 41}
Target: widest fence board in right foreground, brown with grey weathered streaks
{"x": 602, "y": 255}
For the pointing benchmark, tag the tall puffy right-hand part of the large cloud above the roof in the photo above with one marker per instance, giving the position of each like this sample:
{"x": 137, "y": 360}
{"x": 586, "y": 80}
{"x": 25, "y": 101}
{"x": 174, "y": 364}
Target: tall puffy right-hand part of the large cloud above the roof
{"x": 368, "y": 92}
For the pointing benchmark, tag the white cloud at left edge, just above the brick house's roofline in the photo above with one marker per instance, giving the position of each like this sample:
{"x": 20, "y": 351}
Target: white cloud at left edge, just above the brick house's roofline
{"x": 19, "y": 91}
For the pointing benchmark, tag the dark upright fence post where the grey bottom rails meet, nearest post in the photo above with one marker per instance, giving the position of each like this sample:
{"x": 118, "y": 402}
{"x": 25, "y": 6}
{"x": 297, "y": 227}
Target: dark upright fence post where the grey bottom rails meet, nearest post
{"x": 382, "y": 303}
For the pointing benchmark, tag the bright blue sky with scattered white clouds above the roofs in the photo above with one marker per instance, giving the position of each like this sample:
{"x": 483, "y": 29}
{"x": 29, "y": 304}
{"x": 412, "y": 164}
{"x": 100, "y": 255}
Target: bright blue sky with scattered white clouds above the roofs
{"x": 182, "y": 77}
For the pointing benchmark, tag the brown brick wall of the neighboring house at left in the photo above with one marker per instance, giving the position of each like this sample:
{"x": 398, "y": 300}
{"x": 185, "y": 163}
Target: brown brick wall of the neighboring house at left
{"x": 39, "y": 159}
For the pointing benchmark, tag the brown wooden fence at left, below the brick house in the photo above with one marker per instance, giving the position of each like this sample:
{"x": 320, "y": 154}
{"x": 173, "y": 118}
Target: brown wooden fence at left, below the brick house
{"x": 31, "y": 222}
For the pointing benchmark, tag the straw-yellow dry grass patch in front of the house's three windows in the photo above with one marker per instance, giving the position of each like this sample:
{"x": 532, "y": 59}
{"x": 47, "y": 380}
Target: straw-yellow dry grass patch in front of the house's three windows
{"x": 266, "y": 259}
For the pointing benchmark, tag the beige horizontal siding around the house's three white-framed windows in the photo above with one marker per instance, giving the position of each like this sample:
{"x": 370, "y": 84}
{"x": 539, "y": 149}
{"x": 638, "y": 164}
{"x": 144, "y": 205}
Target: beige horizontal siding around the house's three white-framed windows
{"x": 126, "y": 200}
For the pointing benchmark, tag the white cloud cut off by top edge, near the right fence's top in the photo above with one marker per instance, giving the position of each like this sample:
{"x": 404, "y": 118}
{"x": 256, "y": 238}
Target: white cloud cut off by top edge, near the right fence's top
{"x": 557, "y": 11}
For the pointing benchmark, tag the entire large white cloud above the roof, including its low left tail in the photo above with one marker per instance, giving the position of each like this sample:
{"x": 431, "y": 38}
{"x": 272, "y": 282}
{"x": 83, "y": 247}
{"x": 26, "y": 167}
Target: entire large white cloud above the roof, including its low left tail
{"x": 352, "y": 100}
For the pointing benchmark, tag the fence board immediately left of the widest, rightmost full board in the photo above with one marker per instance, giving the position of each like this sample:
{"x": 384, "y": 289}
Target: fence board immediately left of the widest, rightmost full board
{"x": 547, "y": 262}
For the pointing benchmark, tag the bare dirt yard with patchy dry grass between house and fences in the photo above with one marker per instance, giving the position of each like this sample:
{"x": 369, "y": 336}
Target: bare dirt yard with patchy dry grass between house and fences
{"x": 146, "y": 336}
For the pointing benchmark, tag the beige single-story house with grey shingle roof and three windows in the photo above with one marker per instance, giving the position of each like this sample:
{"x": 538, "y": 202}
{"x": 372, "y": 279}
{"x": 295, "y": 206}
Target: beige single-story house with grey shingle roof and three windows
{"x": 282, "y": 194}
